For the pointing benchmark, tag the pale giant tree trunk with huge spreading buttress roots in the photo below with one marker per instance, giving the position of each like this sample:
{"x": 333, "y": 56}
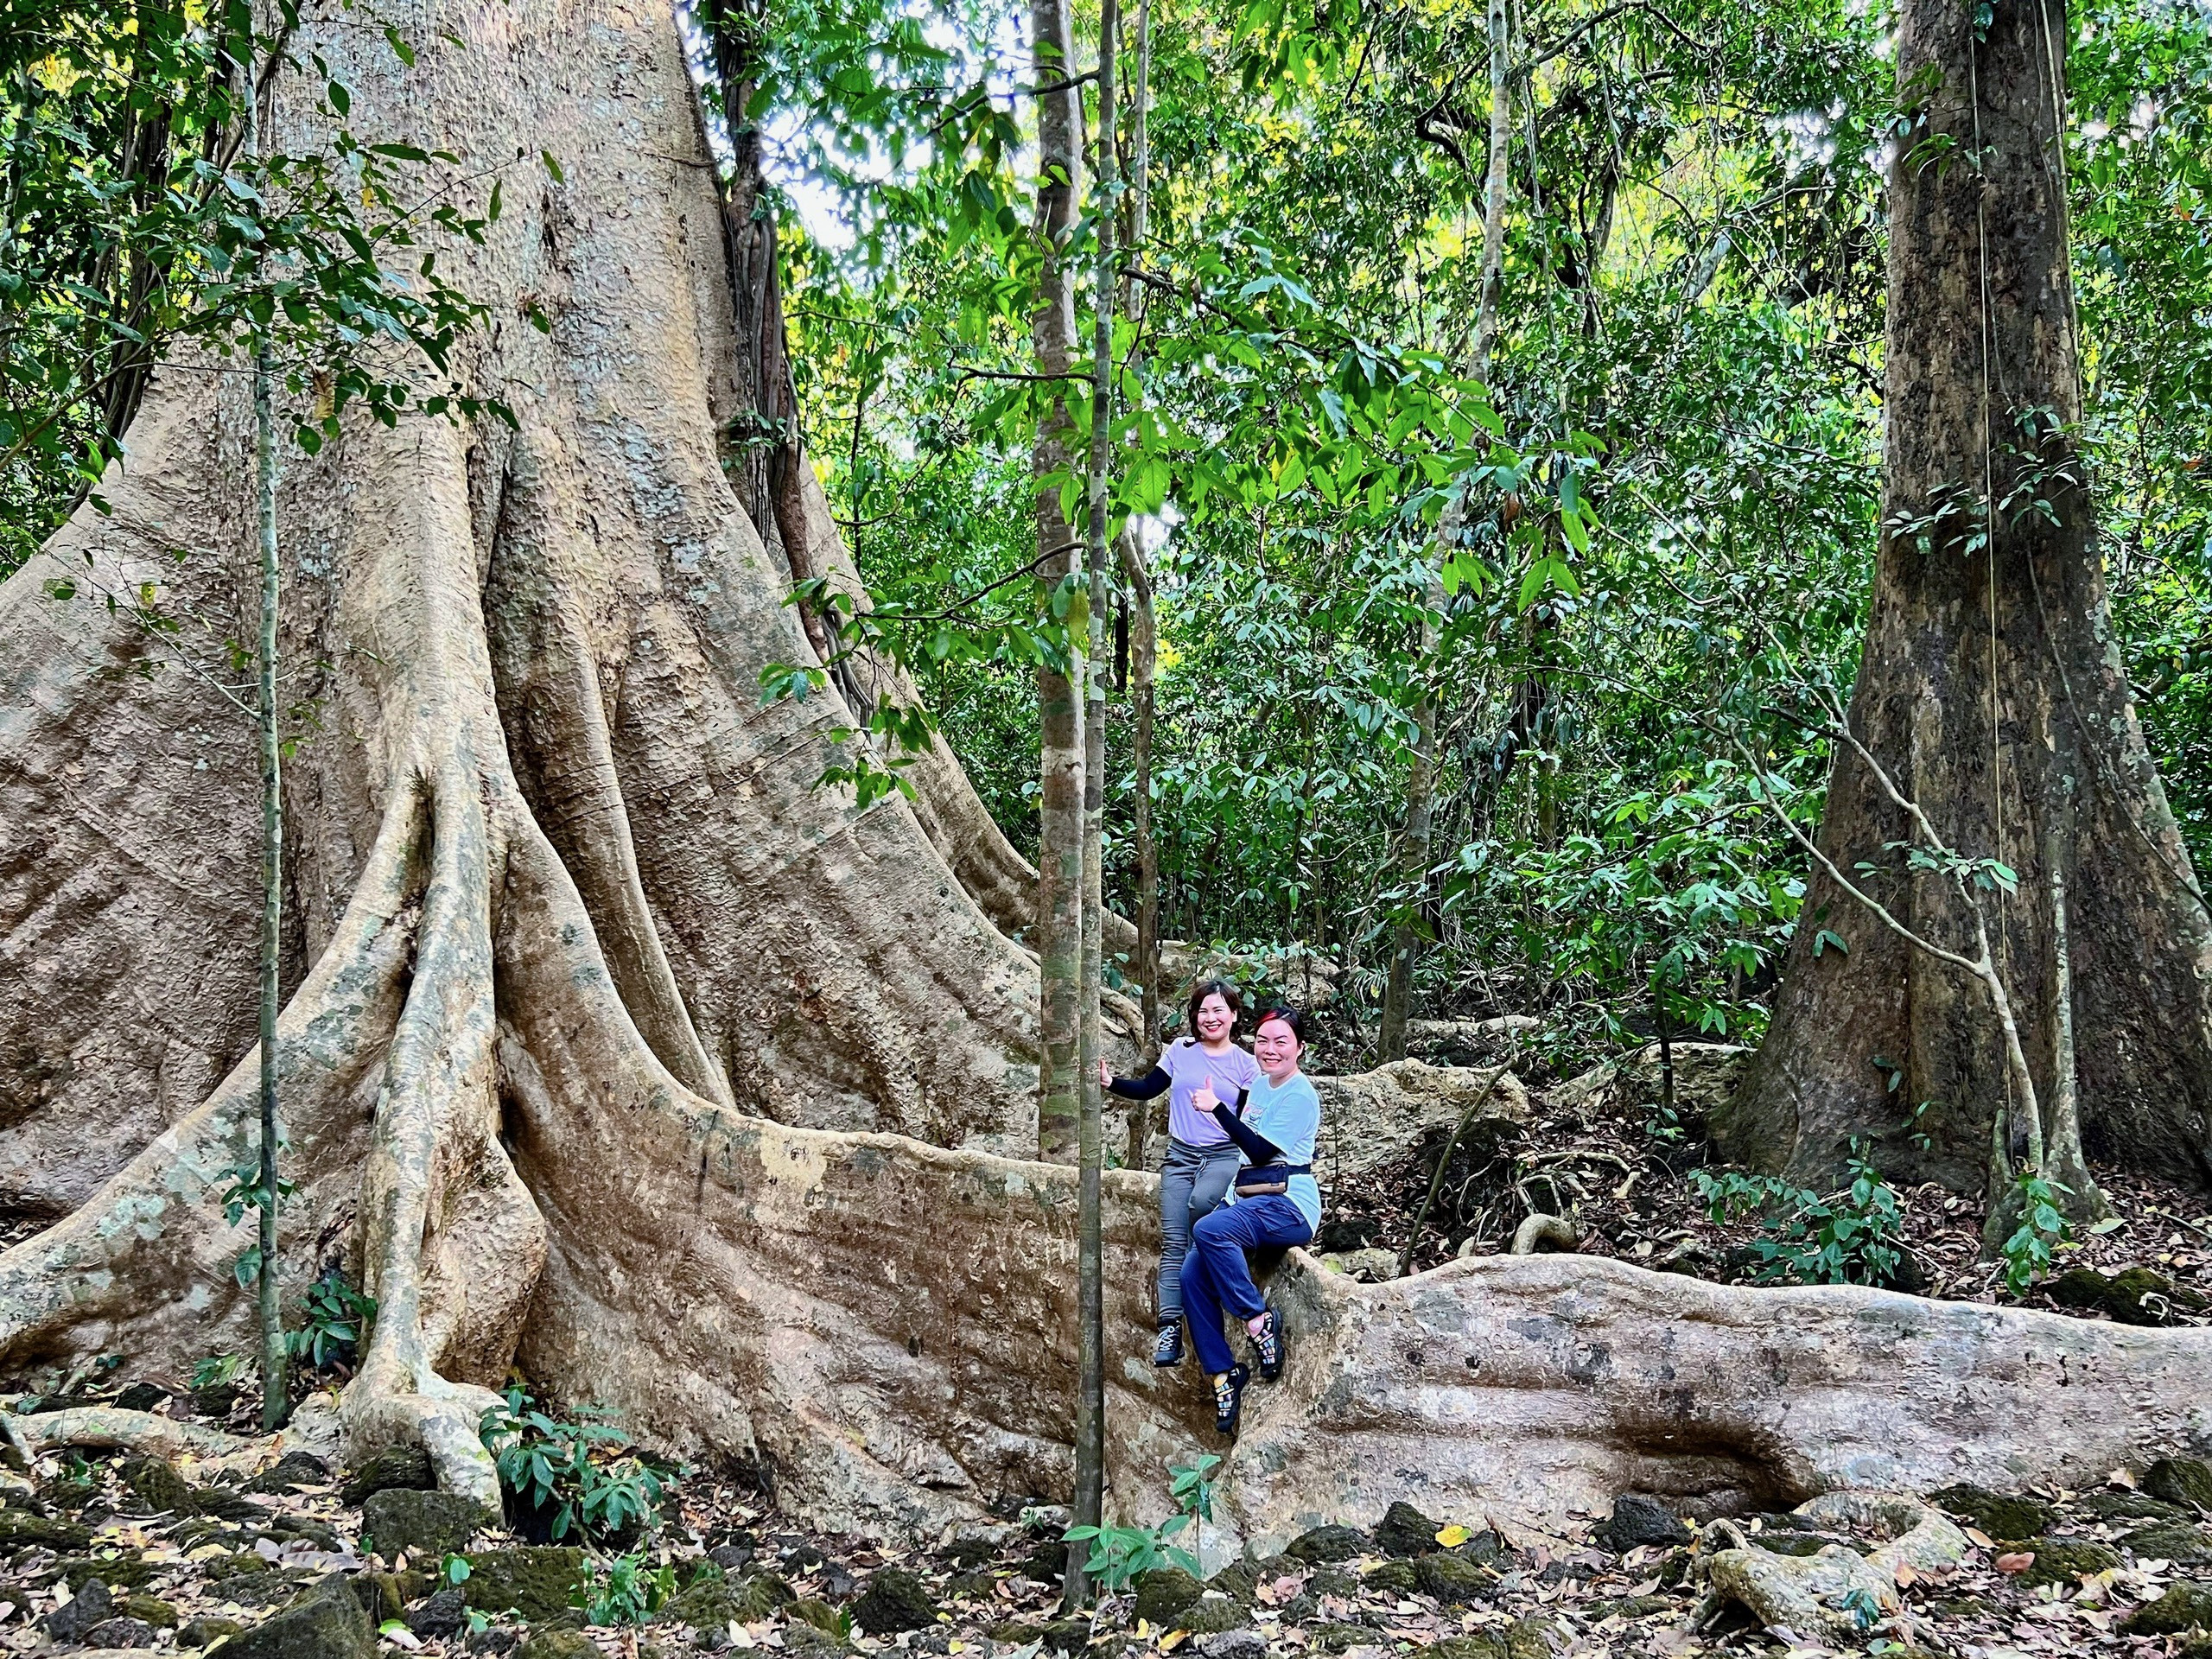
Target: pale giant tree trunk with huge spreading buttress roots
{"x": 572, "y": 928}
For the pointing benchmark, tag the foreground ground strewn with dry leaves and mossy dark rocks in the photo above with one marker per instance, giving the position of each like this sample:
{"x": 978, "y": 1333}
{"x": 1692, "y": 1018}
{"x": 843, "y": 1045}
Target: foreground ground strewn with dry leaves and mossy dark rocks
{"x": 992, "y": 1589}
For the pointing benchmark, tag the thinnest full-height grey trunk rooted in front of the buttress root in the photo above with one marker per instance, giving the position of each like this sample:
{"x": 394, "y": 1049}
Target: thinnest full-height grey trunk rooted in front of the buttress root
{"x": 1092, "y": 1300}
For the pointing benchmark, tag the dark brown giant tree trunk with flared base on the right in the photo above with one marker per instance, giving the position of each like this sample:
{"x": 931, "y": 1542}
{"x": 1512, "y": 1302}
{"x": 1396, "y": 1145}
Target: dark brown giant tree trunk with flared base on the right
{"x": 1990, "y": 691}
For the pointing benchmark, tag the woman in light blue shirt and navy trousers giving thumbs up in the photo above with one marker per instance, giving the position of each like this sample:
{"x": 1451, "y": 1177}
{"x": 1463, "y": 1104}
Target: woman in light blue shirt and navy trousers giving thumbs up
{"x": 1277, "y": 1202}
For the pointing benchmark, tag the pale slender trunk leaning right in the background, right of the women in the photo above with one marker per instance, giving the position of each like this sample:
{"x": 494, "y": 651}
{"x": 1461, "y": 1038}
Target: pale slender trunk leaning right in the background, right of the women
{"x": 1421, "y": 780}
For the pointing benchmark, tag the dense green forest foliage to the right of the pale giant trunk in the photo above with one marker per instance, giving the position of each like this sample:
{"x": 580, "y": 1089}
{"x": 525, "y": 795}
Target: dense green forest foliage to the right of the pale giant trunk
{"x": 1678, "y": 497}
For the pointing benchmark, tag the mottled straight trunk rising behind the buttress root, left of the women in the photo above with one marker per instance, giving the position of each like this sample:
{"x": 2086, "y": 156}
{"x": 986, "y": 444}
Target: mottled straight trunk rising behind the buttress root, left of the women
{"x": 1061, "y": 797}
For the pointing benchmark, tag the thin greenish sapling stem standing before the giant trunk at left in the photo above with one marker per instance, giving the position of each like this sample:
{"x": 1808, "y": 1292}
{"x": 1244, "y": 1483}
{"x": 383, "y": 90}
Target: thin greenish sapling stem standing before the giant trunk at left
{"x": 275, "y": 1397}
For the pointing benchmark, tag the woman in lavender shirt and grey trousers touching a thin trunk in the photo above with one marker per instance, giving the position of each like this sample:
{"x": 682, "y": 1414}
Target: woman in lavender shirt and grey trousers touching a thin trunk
{"x": 1202, "y": 1158}
